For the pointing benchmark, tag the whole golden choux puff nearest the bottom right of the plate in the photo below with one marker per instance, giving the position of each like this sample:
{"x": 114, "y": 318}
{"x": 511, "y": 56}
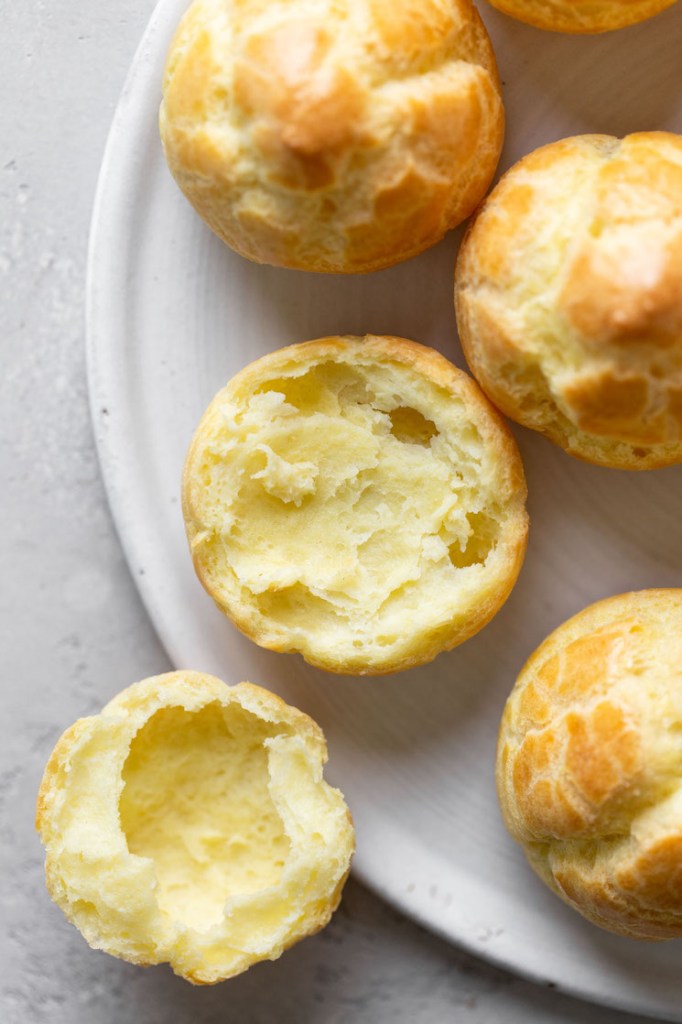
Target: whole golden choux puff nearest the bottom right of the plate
{"x": 589, "y": 763}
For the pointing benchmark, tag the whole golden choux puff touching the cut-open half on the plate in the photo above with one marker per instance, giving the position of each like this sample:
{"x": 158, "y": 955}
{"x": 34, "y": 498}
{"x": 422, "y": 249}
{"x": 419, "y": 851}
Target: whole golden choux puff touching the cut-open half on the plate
{"x": 569, "y": 295}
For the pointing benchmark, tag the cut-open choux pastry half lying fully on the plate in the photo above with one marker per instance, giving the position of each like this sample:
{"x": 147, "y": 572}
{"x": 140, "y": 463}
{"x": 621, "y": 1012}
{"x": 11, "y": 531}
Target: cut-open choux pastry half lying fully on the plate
{"x": 356, "y": 500}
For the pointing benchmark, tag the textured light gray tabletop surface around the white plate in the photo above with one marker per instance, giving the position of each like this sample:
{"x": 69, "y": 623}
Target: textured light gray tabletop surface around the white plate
{"x": 74, "y": 631}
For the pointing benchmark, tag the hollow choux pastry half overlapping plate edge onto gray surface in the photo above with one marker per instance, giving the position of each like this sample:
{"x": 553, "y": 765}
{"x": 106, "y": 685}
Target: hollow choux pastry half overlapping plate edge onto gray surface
{"x": 190, "y": 824}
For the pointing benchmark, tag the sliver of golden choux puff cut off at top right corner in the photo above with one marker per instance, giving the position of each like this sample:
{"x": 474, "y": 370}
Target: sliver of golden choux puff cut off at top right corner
{"x": 582, "y": 17}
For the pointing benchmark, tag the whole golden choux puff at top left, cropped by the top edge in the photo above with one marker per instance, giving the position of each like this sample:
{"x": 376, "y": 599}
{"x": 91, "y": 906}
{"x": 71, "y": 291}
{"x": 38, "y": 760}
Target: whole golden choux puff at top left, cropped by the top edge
{"x": 339, "y": 136}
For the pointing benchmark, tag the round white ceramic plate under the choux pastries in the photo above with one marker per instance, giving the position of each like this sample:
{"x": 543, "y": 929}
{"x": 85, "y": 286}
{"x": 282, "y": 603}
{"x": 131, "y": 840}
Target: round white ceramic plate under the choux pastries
{"x": 174, "y": 315}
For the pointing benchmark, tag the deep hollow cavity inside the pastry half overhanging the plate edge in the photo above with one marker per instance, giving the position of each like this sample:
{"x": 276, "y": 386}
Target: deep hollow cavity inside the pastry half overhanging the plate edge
{"x": 197, "y": 802}
